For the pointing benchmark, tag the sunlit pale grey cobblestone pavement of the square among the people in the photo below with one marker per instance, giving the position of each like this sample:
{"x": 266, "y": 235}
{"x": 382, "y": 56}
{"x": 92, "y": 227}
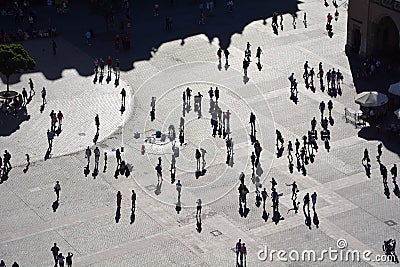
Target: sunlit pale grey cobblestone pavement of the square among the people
{"x": 350, "y": 206}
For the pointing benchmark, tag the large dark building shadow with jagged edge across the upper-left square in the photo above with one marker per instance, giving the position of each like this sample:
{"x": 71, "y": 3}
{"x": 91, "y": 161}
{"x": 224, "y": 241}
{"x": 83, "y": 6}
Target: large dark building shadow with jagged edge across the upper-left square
{"x": 148, "y": 32}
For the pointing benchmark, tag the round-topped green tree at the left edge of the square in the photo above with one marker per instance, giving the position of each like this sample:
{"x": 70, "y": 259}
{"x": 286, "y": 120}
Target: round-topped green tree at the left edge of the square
{"x": 13, "y": 59}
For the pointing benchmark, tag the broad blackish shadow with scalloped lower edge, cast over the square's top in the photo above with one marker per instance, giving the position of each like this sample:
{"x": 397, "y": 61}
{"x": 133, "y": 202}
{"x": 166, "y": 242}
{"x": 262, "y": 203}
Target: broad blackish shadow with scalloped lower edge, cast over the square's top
{"x": 244, "y": 14}
